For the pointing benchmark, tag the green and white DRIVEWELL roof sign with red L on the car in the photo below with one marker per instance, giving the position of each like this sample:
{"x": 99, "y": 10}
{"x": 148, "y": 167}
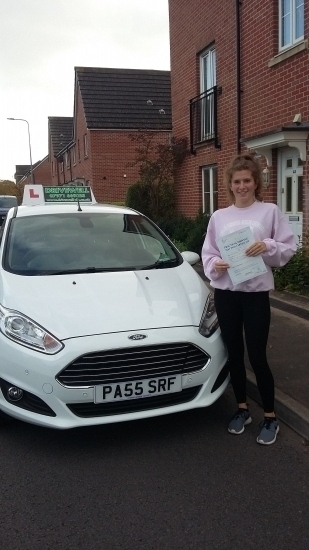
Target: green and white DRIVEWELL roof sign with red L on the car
{"x": 41, "y": 194}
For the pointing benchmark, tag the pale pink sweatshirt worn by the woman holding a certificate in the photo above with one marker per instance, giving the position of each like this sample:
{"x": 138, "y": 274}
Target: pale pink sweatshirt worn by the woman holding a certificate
{"x": 267, "y": 224}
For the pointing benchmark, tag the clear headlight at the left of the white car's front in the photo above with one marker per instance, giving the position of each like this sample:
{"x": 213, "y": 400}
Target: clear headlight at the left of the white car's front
{"x": 26, "y": 332}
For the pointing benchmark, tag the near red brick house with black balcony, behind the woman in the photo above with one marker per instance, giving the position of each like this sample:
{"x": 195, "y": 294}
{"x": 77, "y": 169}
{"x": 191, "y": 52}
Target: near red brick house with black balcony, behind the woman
{"x": 239, "y": 78}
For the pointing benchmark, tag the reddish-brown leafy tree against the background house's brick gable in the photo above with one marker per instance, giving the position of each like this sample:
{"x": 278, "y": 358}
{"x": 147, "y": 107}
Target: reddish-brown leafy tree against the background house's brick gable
{"x": 153, "y": 194}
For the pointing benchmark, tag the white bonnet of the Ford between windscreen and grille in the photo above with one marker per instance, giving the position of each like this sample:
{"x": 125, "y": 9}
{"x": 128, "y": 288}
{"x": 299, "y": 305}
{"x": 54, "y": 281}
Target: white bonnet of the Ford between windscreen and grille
{"x": 79, "y": 305}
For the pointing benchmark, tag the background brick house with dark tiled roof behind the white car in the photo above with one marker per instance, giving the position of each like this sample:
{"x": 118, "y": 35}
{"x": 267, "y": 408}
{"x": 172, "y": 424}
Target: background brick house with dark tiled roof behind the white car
{"x": 110, "y": 106}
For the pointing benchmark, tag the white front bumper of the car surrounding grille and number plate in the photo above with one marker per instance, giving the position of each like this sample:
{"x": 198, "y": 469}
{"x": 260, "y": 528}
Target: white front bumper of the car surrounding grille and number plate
{"x": 72, "y": 407}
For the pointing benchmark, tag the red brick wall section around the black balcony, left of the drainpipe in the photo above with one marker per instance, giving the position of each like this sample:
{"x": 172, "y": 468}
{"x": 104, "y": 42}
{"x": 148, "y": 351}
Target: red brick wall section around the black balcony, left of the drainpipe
{"x": 195, "y": 25}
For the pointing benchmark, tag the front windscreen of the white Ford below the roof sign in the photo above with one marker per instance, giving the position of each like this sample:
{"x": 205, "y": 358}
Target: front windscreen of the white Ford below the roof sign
{"x": 85, "y": 242}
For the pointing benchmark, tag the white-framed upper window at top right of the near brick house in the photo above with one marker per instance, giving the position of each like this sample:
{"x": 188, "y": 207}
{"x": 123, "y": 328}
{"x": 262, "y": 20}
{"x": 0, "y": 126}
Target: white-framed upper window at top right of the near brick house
{"x": 291, "y": 22}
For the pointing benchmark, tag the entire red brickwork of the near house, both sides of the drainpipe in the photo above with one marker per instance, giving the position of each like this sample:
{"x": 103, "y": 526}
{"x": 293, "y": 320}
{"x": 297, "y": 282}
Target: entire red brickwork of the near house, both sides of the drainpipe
{"x": 270, "y": 96}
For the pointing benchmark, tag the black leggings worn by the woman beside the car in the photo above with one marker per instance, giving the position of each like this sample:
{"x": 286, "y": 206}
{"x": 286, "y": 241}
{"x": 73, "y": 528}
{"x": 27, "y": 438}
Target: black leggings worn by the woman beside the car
{"x": 249, "y": 311}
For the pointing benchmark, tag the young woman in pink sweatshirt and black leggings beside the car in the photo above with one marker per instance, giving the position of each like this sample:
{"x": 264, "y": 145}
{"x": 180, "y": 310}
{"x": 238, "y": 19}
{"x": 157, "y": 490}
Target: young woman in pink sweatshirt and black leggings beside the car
{"x": 245, "y": 306}
